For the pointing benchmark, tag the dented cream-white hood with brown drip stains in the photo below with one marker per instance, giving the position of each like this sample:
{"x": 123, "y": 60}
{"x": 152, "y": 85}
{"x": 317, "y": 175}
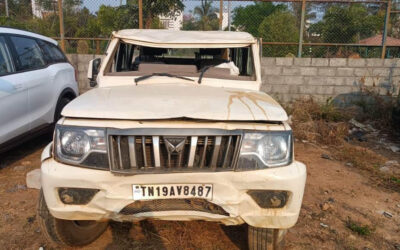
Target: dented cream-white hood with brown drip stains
{"x": 168, "y": 101}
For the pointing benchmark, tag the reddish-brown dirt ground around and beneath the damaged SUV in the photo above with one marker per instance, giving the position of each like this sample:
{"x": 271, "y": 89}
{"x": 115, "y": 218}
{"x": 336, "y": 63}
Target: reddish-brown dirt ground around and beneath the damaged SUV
{"x": 335, "y": 194}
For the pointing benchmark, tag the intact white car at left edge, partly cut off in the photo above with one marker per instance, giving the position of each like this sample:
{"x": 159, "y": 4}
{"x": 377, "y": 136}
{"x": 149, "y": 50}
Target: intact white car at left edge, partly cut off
{"x": 36, "y": 82}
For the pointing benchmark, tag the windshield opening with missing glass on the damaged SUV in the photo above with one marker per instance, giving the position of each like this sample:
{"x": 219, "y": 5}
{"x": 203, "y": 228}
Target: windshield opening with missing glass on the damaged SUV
{"x": 223, "y": 63}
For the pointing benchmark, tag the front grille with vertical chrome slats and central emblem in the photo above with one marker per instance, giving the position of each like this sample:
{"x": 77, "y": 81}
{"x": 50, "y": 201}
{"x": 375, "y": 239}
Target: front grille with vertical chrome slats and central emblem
{"x": 143, "y": 150}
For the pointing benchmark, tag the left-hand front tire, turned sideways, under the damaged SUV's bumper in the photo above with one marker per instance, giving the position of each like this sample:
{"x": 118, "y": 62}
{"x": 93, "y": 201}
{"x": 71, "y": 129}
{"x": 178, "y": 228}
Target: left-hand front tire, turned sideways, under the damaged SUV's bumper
{"x": 67, "y": 232}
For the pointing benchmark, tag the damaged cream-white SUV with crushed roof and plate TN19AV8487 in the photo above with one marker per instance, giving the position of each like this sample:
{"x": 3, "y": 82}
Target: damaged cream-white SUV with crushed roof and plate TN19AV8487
{"x": 176, "y": 129}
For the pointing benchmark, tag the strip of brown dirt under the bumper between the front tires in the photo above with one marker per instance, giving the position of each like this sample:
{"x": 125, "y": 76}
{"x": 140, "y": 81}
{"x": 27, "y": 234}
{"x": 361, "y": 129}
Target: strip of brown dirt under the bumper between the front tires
{"x": 153, "y": 234}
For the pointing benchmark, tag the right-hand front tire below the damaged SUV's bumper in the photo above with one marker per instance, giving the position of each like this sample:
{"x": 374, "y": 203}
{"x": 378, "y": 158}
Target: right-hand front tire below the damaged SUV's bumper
{"x": 266, "y": 238}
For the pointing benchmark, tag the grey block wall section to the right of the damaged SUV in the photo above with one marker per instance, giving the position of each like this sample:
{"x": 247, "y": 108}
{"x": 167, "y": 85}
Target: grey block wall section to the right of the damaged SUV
{"x": 291, "y": 78}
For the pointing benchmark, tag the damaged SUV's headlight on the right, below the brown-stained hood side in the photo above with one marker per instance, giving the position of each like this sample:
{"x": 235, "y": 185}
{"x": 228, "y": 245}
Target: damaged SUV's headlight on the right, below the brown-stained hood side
{"x": 262, "y": 150}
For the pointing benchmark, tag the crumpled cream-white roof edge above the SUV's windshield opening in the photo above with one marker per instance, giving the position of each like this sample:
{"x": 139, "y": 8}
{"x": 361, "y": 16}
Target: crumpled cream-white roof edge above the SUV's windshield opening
{"x": 173, "y": 38}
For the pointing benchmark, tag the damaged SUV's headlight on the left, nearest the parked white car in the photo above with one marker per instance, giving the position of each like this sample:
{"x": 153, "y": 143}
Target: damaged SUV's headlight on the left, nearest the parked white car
{"x": 81, "y": 146}
